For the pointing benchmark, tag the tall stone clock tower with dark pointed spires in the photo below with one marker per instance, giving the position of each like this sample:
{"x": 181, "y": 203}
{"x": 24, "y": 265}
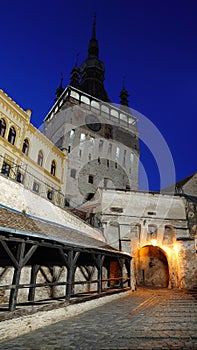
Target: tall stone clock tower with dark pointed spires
{"x": 100, "y": 139}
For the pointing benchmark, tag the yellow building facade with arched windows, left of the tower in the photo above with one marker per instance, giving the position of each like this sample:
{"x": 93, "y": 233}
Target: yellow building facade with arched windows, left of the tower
{"x": 27, "y": 156}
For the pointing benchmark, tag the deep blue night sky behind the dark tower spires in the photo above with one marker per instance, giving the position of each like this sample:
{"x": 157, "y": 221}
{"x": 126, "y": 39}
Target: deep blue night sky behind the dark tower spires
{"x": 152, "y": 43}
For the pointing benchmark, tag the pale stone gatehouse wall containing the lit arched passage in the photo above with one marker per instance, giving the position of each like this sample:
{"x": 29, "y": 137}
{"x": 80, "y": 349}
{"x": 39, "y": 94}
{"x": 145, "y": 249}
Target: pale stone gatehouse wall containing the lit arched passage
{"x": 157, "y": 225}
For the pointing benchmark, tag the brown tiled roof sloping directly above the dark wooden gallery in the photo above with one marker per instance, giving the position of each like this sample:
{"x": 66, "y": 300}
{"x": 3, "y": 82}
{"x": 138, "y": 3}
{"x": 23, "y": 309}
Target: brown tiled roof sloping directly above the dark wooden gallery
{"x": 19, "y": 223}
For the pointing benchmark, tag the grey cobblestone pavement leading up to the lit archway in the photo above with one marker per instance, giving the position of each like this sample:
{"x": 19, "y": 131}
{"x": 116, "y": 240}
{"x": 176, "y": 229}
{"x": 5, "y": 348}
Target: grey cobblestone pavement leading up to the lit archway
{"x": 147, "y": 319}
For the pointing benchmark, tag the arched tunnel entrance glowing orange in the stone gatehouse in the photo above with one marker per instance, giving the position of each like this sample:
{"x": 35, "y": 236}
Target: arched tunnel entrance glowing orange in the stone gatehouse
{"x": 152, "y": 267}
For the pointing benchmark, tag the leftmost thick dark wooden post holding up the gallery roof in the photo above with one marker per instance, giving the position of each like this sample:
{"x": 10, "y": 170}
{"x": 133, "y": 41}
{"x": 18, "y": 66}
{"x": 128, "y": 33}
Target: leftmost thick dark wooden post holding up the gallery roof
{"x": 16, "y": 277}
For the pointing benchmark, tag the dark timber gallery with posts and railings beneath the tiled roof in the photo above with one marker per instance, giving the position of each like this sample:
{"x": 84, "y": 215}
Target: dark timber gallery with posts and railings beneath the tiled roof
{"x": 112, "y": 268}
